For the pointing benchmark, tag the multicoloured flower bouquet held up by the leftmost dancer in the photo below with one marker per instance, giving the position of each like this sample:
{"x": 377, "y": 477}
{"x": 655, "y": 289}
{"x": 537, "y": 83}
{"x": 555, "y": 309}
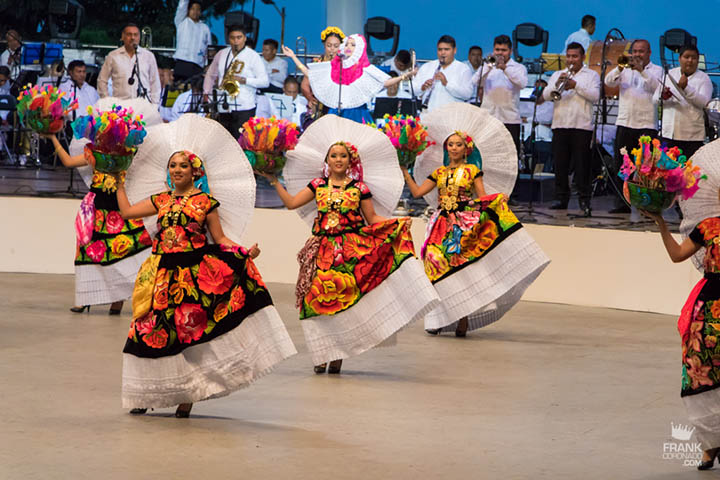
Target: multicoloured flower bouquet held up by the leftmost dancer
{"x": 43, "y": 109}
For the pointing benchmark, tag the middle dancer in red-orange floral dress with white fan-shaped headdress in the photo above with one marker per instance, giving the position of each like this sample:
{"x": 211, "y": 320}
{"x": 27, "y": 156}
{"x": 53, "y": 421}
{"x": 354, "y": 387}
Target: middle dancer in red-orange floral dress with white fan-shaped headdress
{"x": 359, "y": 280}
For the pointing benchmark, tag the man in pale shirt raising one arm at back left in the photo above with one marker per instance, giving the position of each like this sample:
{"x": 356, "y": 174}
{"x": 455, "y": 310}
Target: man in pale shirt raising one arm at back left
{"x": 192, "y": 37}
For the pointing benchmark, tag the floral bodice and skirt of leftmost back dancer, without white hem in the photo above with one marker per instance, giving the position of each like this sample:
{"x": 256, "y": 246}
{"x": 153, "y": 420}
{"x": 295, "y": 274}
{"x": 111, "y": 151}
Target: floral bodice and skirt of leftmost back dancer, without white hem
{"x": 113, "y": 238}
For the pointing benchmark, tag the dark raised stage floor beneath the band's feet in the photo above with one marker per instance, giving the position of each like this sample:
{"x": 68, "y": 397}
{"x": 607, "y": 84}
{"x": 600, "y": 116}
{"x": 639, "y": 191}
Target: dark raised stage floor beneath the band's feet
{"x": 31, "y": 181}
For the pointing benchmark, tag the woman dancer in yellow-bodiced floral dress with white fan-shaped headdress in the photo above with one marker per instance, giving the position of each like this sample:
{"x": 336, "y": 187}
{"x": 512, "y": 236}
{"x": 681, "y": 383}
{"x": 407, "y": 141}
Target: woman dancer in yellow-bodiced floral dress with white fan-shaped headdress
{"x": 476, "y": 253}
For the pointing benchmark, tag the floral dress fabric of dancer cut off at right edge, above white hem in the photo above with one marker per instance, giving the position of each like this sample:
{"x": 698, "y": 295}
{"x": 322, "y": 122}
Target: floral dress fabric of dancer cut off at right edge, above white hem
{"x": 700, "y": 349}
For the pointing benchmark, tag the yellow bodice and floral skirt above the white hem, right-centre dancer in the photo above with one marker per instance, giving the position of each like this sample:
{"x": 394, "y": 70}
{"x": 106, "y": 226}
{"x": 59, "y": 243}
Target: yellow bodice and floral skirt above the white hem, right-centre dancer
{"x": 463, "y": 230}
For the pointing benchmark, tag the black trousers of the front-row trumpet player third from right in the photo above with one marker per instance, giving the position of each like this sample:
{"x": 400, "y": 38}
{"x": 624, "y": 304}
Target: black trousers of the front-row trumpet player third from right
{"x": 572, "y": 146}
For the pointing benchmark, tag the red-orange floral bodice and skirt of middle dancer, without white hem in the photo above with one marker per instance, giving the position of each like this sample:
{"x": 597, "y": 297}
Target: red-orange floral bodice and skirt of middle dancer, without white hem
{"x": 352, "y": 258}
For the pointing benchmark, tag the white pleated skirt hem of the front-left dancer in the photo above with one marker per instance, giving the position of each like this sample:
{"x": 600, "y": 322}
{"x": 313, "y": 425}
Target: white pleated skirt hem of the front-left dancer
{"x": 208, "y": 370}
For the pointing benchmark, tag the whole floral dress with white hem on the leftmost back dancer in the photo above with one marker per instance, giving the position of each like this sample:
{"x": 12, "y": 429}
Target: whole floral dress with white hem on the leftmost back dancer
{"x": 106, "y": 266}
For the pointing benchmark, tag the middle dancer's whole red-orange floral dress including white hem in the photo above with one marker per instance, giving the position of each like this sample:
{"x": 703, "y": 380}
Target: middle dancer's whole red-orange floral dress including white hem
{"x": 346, "y": 303}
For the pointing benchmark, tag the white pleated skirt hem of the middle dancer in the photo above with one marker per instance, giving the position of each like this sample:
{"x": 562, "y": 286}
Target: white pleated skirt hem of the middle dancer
{"x": 400, "y": 299}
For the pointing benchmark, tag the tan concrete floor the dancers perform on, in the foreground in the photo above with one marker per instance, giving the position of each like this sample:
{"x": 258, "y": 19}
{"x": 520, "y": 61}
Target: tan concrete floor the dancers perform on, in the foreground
{"x": 551, "y": 391}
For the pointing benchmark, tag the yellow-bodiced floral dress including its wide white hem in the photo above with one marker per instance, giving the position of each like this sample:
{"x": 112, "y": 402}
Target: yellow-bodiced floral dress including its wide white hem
{"x": 461, "y": 237}
